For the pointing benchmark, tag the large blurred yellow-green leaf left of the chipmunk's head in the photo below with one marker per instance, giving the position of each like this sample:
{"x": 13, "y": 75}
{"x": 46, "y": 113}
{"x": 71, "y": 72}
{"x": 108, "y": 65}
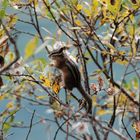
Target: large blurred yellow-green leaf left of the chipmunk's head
{"x": 30, "y": 47}
